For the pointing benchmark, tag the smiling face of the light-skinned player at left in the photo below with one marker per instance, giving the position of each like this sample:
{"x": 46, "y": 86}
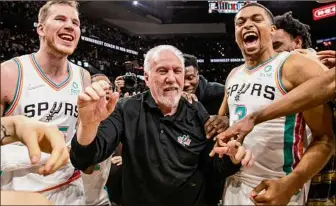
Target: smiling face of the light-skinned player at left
{"x": 60, "y": 29}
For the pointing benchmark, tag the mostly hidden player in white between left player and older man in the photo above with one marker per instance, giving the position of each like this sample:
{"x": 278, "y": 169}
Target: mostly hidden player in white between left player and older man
{"x": 95, "y": 177}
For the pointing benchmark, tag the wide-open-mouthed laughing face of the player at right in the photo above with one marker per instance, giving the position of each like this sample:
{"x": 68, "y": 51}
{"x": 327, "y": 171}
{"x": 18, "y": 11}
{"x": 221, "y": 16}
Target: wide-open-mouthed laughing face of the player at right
{"x": 253, "y": 30}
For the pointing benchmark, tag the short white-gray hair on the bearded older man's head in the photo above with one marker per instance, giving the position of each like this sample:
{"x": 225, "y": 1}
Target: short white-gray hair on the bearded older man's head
{"x": 154, "y": 54}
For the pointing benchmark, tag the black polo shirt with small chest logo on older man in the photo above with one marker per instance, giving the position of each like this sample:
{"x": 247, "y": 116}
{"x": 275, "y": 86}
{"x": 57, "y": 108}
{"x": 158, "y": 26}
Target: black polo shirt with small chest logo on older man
{"x": 163, "y": 156}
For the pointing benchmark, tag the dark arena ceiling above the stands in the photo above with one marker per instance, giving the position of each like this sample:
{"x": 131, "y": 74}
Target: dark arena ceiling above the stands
{"x": 190, "y": 17}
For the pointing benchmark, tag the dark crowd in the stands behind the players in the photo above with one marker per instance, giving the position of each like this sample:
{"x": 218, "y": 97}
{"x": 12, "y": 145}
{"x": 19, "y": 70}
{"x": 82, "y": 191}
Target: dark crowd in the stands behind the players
{"x": 18, "y": 36}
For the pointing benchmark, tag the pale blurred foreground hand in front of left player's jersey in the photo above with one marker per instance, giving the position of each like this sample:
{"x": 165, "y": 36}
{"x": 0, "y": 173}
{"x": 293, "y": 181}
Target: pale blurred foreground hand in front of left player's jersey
{"x": 39, "y": 136}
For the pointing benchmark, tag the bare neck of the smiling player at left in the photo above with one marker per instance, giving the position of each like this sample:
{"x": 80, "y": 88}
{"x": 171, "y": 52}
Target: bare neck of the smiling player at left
{"x": 50, "y": 63}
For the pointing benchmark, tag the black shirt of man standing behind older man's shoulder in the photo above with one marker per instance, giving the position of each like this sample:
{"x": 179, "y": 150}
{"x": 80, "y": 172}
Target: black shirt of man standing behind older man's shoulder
{"x": 210, "y": 94}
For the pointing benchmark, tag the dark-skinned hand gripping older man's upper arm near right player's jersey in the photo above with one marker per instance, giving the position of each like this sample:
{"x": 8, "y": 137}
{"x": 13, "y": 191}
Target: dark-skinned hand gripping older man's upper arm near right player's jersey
{"x": 215, "y": 125}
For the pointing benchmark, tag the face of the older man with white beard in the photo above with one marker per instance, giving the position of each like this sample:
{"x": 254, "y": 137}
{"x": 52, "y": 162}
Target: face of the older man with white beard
{"x": 165, "y": 79}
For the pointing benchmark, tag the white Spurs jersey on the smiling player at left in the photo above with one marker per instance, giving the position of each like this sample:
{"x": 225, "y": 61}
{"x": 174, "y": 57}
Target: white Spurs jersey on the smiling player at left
{"x": 38, "y": 97}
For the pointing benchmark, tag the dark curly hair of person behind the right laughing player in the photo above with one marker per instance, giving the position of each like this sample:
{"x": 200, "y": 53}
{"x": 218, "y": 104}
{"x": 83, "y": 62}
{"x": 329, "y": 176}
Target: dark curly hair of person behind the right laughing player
{"x": 294, "y": 28}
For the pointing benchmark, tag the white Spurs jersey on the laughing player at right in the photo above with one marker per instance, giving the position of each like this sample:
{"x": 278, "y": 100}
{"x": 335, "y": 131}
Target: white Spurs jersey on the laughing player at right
{"x": 277, "y": 144}
